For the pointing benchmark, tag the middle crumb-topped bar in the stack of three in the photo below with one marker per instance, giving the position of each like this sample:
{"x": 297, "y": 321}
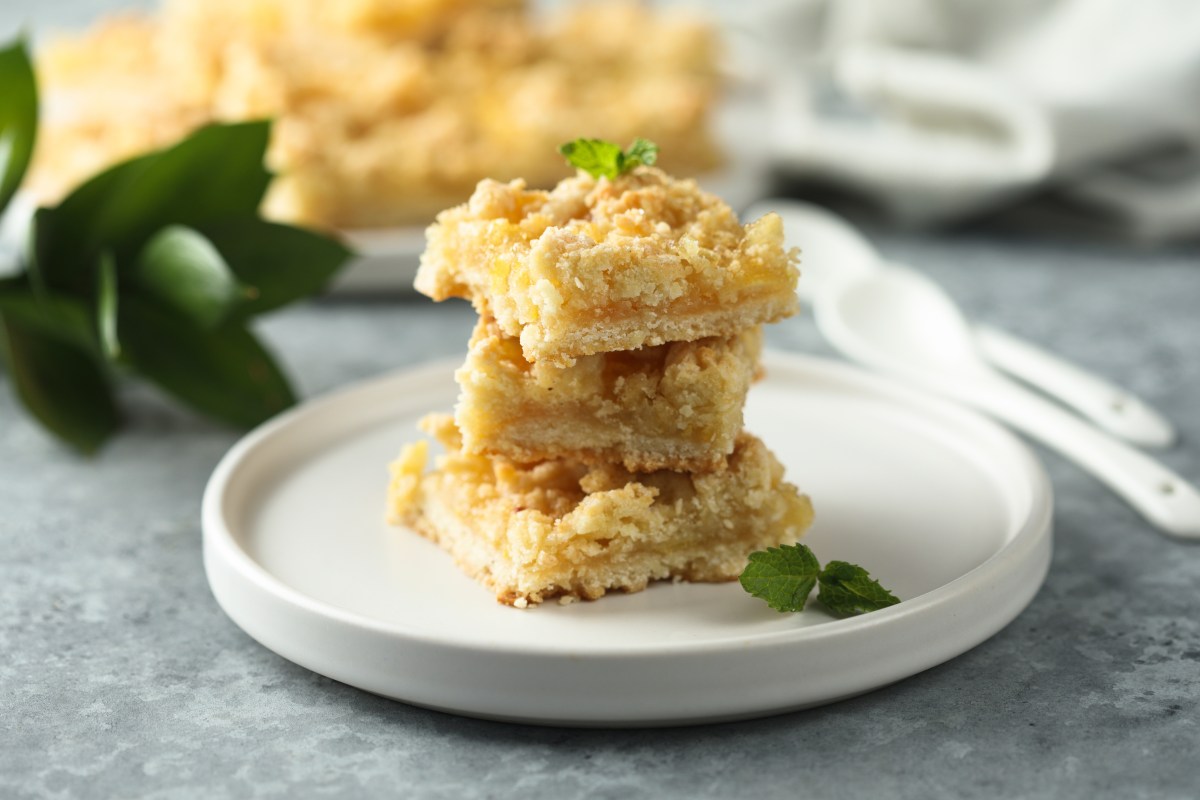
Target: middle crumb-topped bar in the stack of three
{"x": 675, "y": 406}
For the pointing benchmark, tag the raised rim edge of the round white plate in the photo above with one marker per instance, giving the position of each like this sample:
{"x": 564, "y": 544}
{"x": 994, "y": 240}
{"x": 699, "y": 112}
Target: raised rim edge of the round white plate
{"x": 220, "y": 540}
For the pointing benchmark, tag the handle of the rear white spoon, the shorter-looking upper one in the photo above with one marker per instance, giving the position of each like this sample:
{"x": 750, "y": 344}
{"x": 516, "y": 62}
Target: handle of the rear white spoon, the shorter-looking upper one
{"x": 1112, "y": 408}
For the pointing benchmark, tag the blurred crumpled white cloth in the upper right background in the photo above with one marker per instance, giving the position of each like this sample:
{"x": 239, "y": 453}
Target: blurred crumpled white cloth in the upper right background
{"x": 945, "y": 109}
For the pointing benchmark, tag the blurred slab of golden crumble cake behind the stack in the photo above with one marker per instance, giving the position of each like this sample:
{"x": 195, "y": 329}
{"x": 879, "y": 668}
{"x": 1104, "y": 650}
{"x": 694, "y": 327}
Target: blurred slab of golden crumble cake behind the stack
{"x": 387, "y": 111}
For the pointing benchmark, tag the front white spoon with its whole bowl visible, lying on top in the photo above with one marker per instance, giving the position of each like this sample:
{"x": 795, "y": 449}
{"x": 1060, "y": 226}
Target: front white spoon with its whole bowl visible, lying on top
{"x": 899, "y": 322}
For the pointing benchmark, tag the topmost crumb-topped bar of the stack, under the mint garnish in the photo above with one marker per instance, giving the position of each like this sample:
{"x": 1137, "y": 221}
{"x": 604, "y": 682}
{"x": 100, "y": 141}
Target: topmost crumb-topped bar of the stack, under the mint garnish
{"x": 597, "y": 266}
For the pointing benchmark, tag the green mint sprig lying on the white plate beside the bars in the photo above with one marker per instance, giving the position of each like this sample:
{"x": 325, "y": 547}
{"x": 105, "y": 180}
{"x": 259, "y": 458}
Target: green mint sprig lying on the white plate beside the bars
{"x": 785, "y": 578}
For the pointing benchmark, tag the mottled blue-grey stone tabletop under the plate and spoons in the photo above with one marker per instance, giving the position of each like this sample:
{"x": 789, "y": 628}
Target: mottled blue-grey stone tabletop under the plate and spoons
{"x": 121, "y": 677}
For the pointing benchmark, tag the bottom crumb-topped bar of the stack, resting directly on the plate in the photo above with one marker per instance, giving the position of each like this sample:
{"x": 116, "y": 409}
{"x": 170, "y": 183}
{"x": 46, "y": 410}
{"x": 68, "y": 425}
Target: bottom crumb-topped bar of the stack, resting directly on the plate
{"x": 562, "y": 528}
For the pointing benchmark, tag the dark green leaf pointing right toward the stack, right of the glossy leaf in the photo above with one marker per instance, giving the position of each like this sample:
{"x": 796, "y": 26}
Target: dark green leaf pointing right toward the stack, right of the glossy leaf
{"x": 278, "y": 264}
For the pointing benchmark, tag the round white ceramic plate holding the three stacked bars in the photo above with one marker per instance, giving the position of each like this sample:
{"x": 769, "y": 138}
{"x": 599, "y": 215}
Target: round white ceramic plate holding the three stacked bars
{"x": 945, "y": 508}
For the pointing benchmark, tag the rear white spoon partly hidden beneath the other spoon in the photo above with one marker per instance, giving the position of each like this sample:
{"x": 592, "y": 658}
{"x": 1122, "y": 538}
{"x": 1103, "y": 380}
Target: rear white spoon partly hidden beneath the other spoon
{"x": 833, "y": 249}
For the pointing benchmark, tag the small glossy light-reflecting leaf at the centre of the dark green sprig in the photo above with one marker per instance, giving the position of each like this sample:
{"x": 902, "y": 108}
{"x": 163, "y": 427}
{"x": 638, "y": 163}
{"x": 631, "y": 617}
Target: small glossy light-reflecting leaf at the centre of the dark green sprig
{"x": 182, "y": 269}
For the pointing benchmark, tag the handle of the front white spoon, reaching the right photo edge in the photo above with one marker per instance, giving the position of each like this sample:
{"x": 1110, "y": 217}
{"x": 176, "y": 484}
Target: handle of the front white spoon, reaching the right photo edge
{"x": 1163, "y": 497}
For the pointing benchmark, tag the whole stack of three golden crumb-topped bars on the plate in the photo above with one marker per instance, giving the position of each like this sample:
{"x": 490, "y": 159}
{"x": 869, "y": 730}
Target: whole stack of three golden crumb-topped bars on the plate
{"x": 598, "y": 443}
